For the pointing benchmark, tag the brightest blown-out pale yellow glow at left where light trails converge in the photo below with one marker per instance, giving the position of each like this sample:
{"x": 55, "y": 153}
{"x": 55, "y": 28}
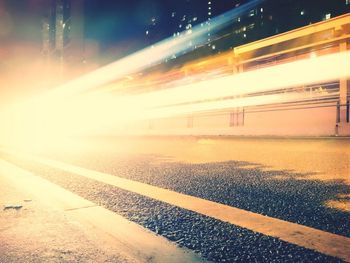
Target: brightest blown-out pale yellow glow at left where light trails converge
{"x": 50, "y": 124}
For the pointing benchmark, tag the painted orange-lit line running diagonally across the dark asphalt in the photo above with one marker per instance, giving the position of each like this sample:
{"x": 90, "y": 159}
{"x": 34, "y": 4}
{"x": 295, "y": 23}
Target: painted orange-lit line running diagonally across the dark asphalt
{"x": 321, "y": 241}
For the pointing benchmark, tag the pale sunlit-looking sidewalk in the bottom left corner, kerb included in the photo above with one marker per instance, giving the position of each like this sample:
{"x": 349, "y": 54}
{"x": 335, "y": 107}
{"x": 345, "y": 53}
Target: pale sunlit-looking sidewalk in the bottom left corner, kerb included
{"x": 51, "y": 224}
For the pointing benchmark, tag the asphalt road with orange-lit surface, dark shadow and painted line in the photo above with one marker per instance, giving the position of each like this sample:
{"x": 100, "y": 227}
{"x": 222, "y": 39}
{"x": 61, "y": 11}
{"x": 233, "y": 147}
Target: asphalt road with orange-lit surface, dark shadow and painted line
{"x": 226, "y": 199}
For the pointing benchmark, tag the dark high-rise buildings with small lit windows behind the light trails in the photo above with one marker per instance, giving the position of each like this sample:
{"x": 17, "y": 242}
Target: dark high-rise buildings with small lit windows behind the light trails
{"x": 267, "y": 19}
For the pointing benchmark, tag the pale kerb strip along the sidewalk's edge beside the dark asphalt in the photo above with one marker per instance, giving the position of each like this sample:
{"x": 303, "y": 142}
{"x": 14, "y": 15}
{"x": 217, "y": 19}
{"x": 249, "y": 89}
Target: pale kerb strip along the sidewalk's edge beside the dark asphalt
{"x": 136, "y": 242}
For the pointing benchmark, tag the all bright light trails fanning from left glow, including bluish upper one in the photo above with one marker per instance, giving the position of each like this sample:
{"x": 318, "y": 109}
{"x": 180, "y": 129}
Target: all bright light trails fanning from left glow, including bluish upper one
{"x": 71, "y": 110}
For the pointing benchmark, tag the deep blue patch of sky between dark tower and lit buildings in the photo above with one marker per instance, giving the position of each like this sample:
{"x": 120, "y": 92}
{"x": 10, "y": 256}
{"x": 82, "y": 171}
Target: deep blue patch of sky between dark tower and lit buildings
{"x": 115, "y": 21}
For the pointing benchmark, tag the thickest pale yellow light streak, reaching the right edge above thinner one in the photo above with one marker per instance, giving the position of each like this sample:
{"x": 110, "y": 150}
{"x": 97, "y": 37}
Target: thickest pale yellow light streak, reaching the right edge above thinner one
{"x": 303, "y": 72}
